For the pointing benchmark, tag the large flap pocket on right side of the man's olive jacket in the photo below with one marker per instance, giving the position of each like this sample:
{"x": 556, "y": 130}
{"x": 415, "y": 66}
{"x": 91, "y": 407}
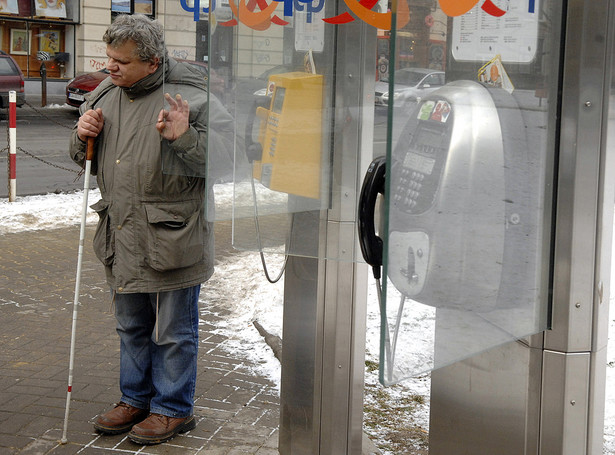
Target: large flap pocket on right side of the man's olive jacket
{"x": 175, "y": 235}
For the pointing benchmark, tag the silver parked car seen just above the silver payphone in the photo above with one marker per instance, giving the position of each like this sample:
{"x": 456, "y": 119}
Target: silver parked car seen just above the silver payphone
{"x": 411, "y": 84}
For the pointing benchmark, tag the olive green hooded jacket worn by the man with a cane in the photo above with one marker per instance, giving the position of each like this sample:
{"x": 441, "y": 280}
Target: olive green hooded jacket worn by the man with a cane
{"x": 153, "y": 233}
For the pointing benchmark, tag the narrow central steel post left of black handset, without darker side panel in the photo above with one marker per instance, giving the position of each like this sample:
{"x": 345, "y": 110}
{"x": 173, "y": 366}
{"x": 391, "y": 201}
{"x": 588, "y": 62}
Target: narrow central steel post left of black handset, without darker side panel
{"x": 345, "y": 298}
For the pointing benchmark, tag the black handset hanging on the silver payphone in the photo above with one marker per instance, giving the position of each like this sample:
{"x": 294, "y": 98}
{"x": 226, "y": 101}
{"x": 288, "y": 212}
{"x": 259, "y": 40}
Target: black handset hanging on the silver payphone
{"x": 371, "y": 244}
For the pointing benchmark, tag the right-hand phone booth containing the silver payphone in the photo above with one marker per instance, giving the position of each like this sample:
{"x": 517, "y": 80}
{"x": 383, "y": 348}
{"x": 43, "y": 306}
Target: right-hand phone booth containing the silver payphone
{"x": 487, "y": 183}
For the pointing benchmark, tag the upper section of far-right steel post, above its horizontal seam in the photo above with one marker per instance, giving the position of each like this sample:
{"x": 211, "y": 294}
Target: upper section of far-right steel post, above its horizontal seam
{"x": 579, "y": 176}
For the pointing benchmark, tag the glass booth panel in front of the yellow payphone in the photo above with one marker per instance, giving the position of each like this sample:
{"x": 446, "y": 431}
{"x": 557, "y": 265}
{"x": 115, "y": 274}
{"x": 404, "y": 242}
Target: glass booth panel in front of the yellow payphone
{"x": 270, "y": 78}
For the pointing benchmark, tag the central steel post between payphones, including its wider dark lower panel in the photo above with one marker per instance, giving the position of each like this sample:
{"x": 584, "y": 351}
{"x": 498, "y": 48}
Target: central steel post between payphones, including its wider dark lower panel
{"x": 325, "y": 299}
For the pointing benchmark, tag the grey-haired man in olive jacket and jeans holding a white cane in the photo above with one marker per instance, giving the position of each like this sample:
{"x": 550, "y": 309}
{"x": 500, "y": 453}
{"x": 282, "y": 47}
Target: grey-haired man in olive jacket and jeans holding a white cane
{"x": 153, "y": 236}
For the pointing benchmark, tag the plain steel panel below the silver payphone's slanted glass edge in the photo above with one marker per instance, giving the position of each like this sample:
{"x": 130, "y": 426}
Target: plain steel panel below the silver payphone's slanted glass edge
{"x": 488, "y": 404}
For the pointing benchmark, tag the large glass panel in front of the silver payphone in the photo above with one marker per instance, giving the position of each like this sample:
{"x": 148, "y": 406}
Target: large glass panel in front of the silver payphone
{"x": 469, "y": 179}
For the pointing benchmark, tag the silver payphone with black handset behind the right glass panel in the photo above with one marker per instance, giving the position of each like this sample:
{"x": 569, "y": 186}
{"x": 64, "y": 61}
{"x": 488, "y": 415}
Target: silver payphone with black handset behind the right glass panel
{"x": 463, "y": 203}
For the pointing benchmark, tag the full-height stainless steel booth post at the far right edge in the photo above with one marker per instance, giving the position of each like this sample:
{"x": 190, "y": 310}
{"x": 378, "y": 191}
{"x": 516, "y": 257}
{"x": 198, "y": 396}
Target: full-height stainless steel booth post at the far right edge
{"x": 574, "y": 359}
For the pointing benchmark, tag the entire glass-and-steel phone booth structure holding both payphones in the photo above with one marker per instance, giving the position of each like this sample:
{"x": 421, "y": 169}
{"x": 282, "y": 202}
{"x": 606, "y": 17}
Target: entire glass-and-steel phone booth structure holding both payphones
{"x": 474, "y": 177}
